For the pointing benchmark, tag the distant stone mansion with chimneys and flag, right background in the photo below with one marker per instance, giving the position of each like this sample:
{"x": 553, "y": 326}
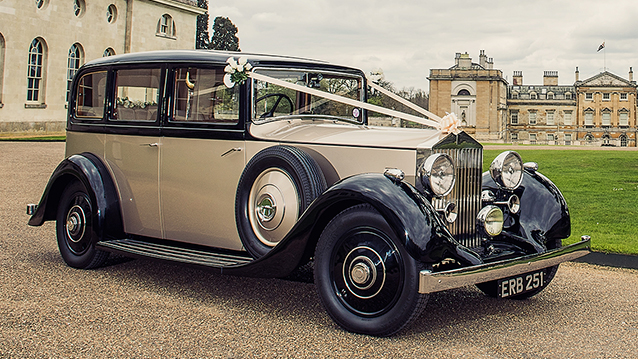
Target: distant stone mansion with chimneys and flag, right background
{"x": 598, "y": 111}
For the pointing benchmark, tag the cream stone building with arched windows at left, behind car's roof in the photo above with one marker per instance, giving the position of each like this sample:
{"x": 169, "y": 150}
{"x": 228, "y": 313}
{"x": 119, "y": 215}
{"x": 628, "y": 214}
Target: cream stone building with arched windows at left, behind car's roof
{"x": 43, "y": 43}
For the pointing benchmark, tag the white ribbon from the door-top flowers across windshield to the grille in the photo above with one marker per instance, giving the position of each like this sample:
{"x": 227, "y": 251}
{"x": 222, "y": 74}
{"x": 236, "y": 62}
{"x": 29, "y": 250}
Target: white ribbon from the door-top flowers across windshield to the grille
{"x": 351, "y": 102}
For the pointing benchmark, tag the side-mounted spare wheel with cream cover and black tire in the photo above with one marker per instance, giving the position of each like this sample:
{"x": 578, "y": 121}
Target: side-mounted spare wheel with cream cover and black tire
{"x": 277, "y": 185}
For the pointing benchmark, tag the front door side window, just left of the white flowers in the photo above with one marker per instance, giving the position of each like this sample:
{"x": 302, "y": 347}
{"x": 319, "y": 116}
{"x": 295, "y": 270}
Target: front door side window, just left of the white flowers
{"x": 201, "y": 96}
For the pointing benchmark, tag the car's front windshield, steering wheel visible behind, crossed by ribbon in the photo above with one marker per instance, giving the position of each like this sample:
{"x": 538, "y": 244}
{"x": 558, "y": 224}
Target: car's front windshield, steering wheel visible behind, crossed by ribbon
{"x": 273, "y": 101}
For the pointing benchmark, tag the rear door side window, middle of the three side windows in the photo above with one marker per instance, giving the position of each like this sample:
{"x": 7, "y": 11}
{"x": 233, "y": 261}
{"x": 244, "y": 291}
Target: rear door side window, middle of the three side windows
{"x": 136, "y": 95}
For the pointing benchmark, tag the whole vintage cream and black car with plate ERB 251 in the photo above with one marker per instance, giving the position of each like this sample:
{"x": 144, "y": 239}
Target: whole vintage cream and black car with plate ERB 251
{"x": 279, "y": 169}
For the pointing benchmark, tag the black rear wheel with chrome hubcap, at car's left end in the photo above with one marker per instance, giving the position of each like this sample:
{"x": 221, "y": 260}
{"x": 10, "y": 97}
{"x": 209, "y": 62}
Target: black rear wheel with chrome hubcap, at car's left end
{"x": 75, "y": 228}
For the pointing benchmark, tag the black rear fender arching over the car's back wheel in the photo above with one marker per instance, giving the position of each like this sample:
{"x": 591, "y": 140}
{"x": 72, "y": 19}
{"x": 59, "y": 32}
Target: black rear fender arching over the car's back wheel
{"x": 88, "y": 169}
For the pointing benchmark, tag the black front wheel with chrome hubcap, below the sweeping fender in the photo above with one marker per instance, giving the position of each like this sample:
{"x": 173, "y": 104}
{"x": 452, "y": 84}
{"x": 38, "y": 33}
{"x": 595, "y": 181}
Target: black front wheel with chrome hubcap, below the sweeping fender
{"x": 366, "y": 280}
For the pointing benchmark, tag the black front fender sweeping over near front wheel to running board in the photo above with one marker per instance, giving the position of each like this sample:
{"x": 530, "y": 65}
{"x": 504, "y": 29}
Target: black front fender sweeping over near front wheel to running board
{"x": 408, "y": 213}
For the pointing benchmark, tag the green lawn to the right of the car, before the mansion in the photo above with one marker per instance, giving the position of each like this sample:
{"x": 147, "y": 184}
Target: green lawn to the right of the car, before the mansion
{"x": 601, "y": 189}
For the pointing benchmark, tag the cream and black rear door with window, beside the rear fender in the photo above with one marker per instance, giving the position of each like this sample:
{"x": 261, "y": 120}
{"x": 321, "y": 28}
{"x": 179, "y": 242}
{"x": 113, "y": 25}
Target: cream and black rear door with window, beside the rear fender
{"x": 132, "y": 147}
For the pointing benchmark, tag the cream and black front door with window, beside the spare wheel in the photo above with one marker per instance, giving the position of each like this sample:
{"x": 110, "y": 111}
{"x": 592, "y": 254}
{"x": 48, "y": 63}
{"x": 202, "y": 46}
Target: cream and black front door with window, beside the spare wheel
{"x": 202, "y": 158}
